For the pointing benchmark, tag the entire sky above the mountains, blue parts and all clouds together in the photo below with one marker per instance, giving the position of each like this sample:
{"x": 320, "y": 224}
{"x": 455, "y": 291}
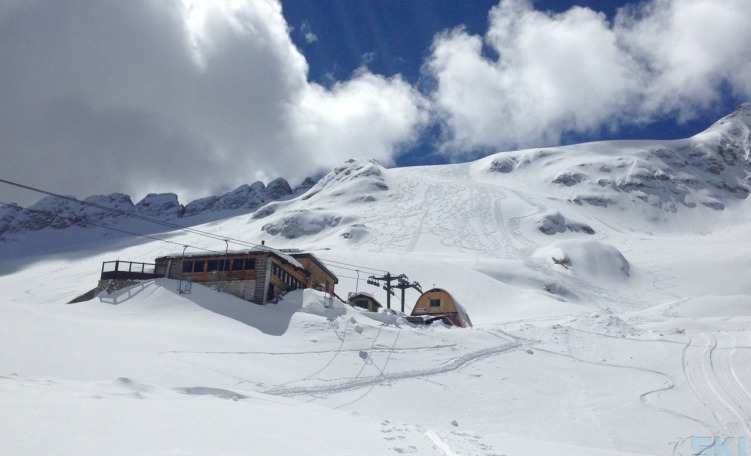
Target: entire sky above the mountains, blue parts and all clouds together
{"x": 198, "y": 97}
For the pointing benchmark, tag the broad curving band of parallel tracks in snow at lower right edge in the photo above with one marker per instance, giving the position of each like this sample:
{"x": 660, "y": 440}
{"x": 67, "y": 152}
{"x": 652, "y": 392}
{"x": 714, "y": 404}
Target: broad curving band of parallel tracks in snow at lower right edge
{"x": 709, "y": 371}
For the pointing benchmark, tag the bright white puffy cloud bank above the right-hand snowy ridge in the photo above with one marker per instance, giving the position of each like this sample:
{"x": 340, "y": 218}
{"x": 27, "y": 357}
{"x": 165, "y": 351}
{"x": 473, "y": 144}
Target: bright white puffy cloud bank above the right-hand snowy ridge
{"x": 535, "y": 76}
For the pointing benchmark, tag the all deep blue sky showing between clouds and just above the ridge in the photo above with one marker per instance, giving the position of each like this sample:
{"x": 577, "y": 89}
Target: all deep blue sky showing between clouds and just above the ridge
{"x": 394, "y": 37}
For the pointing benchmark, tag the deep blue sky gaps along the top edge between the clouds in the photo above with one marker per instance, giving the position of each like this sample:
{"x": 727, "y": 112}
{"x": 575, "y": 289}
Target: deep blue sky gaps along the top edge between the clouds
{"x": 392, "y": 36}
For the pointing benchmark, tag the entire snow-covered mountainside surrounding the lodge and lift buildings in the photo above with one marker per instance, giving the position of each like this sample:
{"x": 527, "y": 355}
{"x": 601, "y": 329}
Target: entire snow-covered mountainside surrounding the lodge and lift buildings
{"x": 607, "y": 283}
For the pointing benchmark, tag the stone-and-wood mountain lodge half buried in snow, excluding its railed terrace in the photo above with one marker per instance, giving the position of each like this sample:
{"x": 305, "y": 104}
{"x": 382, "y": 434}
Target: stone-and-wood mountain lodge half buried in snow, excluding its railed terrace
{"x": 259, "y": 275}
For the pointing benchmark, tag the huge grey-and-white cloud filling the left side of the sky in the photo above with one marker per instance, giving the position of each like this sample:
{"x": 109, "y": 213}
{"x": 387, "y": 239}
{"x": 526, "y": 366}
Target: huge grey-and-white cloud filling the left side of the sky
{"x": 192, "y": 96}
